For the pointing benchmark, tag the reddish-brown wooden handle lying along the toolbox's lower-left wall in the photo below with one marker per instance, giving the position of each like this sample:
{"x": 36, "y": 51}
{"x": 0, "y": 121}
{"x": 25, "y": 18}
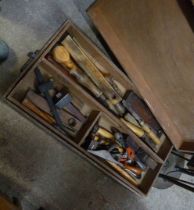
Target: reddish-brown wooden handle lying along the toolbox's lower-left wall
{"x": 45, "y": 116}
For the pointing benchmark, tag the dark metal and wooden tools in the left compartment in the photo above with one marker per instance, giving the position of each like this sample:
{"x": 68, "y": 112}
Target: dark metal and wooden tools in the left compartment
{"x": 53, "y": 106}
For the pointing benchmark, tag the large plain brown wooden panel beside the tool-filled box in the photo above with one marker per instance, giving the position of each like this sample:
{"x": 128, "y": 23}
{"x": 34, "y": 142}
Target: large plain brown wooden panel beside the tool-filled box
{"x": 155, "y": 44}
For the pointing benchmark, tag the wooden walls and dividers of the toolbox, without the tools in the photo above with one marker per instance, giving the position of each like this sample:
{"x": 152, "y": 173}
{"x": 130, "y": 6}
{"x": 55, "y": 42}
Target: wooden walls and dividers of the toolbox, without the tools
{"x": 95, "y": 112}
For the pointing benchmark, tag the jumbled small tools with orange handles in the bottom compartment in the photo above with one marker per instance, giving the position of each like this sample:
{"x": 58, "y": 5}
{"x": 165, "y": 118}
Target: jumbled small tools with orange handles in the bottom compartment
{"x": 120, "y": 151}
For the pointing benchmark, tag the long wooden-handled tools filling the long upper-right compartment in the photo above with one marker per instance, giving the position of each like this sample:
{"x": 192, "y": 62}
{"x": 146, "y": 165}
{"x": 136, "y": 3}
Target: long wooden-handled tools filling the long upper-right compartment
{"x": 125, "y": 104}
